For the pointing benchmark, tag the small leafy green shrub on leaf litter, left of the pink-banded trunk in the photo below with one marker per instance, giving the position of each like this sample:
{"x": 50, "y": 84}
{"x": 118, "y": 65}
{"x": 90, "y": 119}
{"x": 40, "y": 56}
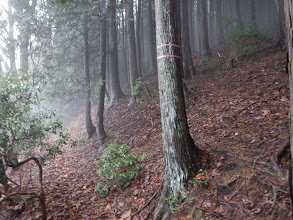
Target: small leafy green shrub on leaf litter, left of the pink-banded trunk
{"x": 118, "y": 167}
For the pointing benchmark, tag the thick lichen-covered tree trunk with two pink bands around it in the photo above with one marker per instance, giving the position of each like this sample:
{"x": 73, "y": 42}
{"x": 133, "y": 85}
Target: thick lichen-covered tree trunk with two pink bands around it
{"x": 180, "y": 152}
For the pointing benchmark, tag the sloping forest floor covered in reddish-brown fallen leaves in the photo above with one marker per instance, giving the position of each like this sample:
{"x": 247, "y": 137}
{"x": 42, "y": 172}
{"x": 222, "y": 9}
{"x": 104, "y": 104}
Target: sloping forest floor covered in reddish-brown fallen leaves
{"x": 237, "y": 116}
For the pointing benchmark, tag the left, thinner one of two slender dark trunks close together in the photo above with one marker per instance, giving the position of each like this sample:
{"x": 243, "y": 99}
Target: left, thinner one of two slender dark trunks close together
{"x": 90, "y": 128}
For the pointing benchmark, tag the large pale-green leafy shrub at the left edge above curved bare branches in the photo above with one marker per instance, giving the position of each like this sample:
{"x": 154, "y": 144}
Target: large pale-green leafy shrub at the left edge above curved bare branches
{"x": 24, "y": 125}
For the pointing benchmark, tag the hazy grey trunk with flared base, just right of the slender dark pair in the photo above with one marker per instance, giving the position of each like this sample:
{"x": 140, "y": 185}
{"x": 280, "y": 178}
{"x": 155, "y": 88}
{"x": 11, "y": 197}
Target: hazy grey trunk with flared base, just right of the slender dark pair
{"x": 114, "y": 82}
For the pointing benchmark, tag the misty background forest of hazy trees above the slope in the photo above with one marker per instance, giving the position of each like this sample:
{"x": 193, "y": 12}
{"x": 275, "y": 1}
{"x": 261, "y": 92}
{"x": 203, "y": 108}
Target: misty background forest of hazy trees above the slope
{"x": 49, "y": 41}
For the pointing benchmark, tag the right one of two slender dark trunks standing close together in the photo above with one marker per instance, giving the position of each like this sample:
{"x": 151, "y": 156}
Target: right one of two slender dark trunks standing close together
{"x": 102, "y": 78}
